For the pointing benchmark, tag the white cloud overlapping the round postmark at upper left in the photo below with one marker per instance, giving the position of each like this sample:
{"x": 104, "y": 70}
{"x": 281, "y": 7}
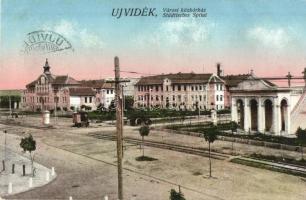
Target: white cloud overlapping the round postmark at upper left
{"x": 76, "y": 34}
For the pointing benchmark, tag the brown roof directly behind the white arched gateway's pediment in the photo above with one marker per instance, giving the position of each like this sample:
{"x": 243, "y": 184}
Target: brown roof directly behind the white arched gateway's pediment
{"x": 234, "y": 80}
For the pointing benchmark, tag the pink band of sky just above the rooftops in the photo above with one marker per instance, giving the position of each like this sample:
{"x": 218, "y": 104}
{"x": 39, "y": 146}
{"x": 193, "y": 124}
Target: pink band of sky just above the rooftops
{"x": 16, "y": 72}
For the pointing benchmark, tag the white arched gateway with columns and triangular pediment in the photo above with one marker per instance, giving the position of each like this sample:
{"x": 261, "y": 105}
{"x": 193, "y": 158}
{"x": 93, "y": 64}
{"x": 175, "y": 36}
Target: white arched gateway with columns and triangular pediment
{"x": 260, "y": 106}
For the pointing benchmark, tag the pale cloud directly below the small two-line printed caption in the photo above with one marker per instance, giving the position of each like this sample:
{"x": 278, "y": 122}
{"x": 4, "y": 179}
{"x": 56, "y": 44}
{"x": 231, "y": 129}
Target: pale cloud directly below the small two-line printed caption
{"x": 186, "y": 32}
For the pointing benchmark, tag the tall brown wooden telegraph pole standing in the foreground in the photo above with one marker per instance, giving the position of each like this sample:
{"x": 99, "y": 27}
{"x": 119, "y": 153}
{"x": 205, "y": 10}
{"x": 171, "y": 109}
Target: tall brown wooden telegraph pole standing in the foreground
{"x": 119, "y": 126}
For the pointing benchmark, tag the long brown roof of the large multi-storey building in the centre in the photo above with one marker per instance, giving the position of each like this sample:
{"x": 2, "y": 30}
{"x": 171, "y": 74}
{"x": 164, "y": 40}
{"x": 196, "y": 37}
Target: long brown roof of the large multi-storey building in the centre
{"x": 182, "y": 78}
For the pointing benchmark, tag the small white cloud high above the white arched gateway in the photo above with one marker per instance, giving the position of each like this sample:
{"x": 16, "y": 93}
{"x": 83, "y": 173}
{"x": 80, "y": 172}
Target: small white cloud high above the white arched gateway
{"x": 269, "y": 37}
